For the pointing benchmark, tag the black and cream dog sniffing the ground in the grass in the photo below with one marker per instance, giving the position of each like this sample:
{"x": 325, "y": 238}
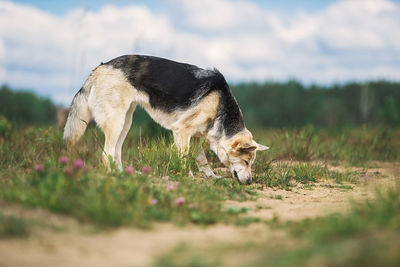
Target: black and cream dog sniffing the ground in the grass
{"x": 188, "y": 100}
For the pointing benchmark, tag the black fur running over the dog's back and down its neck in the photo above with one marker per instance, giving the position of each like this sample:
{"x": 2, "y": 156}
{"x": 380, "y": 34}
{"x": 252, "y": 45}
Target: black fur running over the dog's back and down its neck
{"x": 172, "y": 85}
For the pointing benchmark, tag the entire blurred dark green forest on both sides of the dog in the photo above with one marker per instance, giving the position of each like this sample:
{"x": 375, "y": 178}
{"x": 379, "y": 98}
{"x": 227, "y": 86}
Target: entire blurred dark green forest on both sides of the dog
{"x": 264, "y": 105}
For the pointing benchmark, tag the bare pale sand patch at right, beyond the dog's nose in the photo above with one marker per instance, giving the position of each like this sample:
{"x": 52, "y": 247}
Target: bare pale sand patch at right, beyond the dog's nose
{"x": 321, "y": 198}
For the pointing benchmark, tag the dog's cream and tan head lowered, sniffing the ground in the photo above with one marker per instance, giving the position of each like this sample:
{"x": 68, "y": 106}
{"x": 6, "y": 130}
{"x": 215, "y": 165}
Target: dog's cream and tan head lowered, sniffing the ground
{"x": 238, "y": 154}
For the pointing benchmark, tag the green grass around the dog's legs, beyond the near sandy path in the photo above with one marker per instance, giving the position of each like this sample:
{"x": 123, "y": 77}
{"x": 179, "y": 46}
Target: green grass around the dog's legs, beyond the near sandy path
{"x": 95, "y": 195}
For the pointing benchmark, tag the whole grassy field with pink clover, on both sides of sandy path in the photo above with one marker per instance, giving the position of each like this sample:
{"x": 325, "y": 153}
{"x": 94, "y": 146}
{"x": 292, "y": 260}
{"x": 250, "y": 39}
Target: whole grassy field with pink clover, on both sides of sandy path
{"x": 158, "y": 187}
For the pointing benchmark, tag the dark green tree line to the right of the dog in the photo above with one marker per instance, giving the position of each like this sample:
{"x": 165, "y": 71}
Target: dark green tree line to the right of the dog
{"x": 291, "y": 104}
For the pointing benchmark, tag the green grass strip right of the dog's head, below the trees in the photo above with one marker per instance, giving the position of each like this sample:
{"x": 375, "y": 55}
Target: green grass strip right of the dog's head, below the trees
{"x": 351, "y": 145}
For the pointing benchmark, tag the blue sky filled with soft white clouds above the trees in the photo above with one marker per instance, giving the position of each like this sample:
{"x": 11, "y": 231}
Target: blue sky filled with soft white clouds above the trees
{"x": 50, "y": 47}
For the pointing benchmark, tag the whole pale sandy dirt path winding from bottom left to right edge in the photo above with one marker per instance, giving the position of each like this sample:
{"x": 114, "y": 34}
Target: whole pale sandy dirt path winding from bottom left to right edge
{"x": 57, "y": 240}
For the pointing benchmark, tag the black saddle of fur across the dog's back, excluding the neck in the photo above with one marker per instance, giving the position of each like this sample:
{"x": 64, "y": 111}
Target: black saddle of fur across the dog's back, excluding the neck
{"x": 169, "y": 84}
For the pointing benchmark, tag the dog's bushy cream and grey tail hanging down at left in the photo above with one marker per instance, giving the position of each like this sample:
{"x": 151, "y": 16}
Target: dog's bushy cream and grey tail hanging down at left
{"x": 79, "y": 115}
